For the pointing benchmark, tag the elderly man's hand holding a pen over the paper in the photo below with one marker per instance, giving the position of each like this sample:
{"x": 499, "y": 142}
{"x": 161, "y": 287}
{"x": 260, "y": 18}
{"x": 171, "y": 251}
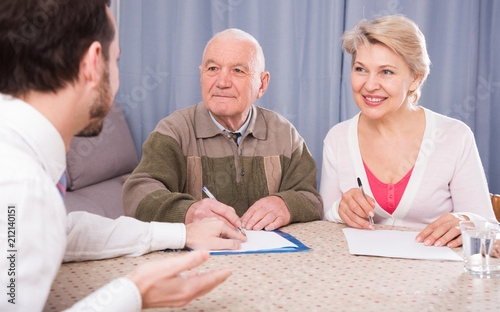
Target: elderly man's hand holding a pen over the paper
{"x": 210, "y": 208}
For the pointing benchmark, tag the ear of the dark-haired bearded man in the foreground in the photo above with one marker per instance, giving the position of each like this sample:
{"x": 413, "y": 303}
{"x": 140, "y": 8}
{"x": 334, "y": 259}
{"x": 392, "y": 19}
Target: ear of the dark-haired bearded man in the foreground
{"x": 91, "y": 64}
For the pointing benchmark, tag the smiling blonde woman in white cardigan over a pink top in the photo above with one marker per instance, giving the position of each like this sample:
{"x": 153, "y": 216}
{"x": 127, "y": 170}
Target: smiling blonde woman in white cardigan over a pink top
{"x": 418, "y": 168}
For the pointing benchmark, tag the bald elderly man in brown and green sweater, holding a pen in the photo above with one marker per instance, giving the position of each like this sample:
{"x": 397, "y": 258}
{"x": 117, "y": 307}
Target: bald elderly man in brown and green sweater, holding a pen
{"x": 251, "y": 159}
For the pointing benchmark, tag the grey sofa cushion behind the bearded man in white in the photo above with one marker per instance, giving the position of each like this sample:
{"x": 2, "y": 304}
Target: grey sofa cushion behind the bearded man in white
{"x": 110, "y": 154}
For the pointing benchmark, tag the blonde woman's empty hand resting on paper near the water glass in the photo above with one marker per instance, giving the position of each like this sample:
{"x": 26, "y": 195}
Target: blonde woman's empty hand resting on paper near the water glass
{"x": 442, "y": 232}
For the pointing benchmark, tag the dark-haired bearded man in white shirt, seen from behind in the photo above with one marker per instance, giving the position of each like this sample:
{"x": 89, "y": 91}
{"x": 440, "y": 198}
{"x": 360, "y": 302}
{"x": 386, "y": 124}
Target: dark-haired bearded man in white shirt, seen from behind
{"x": 58, "y": 77}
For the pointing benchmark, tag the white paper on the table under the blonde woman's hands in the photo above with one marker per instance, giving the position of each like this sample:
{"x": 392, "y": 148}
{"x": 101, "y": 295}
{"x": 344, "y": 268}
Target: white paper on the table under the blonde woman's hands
{"x": 394, "y": 244}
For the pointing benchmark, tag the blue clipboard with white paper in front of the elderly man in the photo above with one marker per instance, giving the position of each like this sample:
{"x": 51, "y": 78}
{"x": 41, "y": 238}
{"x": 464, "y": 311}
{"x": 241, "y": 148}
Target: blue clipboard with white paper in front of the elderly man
{"x": 266, "y": 241}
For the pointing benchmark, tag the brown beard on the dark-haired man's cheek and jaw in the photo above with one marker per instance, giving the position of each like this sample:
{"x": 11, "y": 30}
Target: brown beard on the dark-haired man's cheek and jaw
{"x": 99, "y": 109}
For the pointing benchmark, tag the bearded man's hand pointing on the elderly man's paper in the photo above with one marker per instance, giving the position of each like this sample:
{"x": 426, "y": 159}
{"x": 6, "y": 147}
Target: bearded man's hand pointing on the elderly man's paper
{"x": 213, "y": 234}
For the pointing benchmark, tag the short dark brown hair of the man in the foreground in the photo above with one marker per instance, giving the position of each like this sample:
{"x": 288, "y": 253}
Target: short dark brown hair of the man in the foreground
{"x": 43, "y": 41}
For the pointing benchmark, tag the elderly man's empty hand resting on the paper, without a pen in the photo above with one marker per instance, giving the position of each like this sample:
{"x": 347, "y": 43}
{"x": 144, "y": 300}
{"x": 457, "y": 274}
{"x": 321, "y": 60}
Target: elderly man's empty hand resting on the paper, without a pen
{"x": 267, "y": 213}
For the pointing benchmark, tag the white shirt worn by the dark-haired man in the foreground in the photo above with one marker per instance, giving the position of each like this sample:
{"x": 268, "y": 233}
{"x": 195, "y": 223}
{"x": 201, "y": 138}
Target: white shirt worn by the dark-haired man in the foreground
{"x": 32, "y": 160}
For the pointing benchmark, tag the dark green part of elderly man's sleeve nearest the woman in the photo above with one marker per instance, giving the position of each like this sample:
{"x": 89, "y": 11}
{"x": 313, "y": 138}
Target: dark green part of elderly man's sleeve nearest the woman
{"x": 298, "y": 187}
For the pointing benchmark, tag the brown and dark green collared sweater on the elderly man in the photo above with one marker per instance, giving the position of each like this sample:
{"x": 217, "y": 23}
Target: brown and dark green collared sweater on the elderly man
{"x": 187, "y": 151}
